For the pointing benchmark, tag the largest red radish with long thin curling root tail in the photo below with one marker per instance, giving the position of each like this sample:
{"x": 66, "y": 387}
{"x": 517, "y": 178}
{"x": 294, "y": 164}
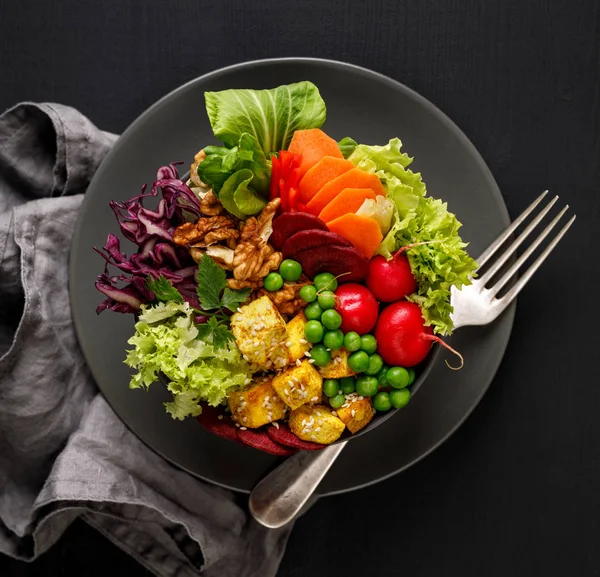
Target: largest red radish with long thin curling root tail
{"x": 402, "y": 337}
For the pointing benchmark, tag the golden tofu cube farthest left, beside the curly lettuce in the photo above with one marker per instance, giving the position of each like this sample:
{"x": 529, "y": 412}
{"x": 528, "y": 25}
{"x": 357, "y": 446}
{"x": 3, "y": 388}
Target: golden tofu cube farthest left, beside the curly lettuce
{"x": 256, "y": 405}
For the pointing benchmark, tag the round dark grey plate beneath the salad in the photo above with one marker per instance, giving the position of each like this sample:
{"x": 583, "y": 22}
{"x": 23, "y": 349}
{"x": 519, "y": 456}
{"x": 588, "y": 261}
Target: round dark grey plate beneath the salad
{"x": 372, "y": 109}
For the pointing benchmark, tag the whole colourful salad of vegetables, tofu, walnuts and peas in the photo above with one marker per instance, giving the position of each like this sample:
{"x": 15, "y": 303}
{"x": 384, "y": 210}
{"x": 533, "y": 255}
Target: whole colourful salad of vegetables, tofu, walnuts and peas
{"x": 291, "y": 290}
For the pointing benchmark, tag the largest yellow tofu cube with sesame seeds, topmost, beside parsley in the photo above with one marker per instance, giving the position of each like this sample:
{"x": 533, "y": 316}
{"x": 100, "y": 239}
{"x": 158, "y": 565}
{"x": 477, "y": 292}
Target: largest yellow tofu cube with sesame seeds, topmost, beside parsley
{"x": 260, "y": 332}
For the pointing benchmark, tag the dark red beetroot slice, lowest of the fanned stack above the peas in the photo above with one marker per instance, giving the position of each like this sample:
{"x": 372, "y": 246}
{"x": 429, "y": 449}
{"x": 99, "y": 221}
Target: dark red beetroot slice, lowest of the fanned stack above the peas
{"x": 334, "y": 259}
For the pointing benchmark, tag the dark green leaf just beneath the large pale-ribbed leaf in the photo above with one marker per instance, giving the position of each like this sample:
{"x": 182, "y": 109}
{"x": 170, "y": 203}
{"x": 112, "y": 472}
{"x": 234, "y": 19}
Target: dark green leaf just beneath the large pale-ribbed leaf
{"x": 221, "y": 162}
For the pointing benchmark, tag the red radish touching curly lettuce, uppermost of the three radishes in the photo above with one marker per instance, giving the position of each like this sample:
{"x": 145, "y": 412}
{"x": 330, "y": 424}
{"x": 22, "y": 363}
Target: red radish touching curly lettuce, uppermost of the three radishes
{"x": 391, "y": 280}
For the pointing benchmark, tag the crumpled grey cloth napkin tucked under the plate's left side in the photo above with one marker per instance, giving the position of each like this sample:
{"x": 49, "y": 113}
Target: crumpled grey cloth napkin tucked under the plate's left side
{"x": 63, "y": 452}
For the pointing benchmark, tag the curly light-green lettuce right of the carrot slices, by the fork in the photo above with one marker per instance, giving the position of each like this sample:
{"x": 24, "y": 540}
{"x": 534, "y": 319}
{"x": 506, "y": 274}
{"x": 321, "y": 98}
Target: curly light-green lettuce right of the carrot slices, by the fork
{"x": 436, "y": 266}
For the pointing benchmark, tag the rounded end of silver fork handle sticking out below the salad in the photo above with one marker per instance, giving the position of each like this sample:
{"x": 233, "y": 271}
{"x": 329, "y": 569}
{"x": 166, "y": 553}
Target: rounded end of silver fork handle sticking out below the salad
{"x": 278, "y": 497}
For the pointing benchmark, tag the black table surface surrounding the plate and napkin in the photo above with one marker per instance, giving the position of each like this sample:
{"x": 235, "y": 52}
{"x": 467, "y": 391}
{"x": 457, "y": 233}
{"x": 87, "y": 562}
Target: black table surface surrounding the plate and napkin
{"x": 516, "y": 491}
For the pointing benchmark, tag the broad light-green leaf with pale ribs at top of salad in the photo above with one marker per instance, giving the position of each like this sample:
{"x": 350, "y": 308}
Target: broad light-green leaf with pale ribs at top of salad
{"x": 270, "y": 116}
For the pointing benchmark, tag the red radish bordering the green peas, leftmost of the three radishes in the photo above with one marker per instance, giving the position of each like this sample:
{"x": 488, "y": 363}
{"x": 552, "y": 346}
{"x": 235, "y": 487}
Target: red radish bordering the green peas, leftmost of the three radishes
{"x": 358, "y": 308}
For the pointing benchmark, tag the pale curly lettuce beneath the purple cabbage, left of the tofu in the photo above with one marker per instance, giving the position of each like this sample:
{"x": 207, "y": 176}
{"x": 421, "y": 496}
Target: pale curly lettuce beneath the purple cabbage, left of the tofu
{"x": 166, "y": 341}
